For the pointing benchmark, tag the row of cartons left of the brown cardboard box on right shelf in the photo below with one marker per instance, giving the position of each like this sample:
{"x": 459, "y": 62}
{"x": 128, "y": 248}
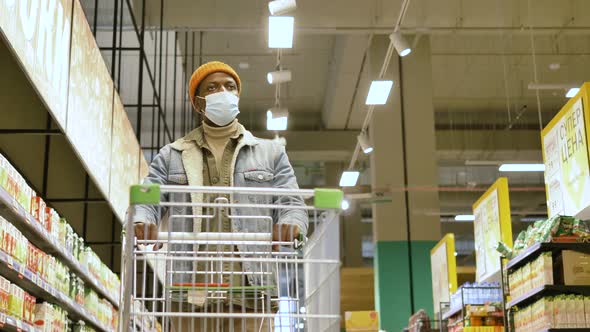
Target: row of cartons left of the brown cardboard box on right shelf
{"x": 534, "y": 274}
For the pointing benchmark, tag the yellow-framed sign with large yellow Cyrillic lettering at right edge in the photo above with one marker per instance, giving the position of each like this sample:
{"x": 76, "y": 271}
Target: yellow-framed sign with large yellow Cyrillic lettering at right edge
{"x": 565, "y": 153}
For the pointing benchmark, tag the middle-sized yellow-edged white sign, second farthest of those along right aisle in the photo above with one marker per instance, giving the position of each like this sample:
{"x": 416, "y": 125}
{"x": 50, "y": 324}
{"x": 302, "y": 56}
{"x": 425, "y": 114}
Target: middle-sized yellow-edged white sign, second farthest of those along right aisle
{"x": 492, "y": 224}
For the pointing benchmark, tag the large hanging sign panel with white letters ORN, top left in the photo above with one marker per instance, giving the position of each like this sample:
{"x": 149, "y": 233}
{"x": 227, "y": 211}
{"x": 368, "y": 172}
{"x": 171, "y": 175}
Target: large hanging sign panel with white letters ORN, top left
{"x": 38, "y": 32}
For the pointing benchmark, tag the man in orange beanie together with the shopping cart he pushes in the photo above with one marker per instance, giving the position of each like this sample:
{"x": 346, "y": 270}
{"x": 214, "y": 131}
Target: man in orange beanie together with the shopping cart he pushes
{"x": 219, "y": 221}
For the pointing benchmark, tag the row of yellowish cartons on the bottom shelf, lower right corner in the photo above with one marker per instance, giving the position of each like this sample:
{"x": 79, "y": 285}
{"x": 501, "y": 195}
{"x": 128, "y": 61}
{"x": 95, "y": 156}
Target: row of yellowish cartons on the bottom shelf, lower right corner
{"x": 562, "y": 311}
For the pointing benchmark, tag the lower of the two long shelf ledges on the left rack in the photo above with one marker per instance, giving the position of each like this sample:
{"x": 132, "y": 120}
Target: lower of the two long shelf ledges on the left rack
{"x": 24, "y": 278}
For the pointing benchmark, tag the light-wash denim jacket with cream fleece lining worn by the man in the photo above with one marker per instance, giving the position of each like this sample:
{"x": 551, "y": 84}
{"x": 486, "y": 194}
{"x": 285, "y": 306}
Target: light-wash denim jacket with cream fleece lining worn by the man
{"x": 256, "y": 163}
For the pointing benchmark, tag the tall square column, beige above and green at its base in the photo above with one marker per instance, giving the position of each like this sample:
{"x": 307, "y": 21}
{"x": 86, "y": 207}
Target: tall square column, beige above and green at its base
{"x": 404, "y": 163}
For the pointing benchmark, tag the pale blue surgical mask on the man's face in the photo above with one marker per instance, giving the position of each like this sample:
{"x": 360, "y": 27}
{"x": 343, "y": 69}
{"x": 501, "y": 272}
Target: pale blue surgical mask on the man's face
{"x": 221, "y": 107}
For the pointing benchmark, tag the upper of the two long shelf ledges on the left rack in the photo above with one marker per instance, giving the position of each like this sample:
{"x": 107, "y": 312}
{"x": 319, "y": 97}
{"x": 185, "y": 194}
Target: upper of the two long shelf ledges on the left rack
{"x": 36, "y": 234}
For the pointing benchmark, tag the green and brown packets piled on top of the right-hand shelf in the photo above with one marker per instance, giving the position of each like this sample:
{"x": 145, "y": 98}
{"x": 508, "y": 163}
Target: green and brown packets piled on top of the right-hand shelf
{"x": 558, "y": 228}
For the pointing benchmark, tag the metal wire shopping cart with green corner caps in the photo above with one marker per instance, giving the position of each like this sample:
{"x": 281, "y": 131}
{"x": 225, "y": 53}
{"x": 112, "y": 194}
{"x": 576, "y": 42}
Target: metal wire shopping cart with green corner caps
{"x": 217, "y": 279}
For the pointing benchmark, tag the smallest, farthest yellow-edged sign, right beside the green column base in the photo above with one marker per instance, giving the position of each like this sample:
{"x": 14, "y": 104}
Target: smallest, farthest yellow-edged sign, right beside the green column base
{"x": 443, "y": 265}
